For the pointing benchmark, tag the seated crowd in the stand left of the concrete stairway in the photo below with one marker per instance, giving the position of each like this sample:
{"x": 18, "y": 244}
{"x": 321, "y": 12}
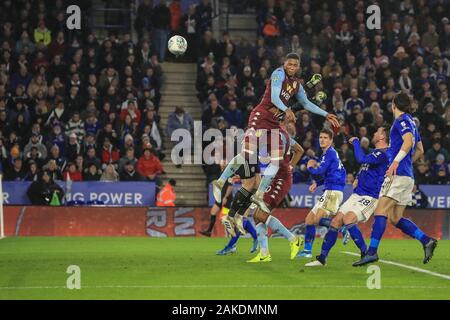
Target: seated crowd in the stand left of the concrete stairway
{"x": 73, "y": 106}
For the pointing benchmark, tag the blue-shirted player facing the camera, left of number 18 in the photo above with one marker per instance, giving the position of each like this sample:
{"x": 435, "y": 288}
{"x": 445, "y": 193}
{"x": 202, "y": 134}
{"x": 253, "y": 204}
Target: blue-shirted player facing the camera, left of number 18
{"x": 333, "y": 176}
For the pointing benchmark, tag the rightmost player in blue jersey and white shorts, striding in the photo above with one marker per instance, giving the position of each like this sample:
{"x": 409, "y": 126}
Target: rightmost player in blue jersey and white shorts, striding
{"x": 405, "y": 147}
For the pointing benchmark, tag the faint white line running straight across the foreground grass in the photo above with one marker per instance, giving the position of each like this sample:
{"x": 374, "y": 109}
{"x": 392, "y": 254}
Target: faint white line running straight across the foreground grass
{"x": 219, "y": 286}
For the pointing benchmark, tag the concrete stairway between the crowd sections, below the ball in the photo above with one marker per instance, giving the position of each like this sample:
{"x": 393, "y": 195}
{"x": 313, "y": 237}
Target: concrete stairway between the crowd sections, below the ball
{"x": 179, "y": 89}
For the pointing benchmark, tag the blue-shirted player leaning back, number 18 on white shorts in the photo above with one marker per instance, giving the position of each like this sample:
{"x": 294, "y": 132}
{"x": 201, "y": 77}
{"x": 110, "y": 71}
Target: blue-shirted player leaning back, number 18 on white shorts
{"x": 361, "y": 204}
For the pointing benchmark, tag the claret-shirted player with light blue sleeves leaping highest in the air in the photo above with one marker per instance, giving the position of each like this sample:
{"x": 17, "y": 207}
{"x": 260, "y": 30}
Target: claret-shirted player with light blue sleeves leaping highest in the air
{"x": 282, "y": 92}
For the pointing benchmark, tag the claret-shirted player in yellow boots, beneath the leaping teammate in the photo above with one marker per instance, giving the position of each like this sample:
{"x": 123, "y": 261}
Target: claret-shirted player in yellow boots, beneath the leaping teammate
{"x": 274, "y": 195}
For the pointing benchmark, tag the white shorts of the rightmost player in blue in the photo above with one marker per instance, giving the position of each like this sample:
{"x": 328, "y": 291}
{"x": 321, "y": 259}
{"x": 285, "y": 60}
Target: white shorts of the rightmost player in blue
{"x": 398, "y": 188}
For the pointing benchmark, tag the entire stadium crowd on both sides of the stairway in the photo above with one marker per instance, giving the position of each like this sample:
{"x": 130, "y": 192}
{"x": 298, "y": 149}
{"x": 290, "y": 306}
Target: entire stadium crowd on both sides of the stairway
{"x": 80, "y": 108}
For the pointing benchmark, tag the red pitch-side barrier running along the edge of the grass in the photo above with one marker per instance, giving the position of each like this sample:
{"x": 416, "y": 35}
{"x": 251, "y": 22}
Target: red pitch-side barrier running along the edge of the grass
{"x": 167, "y": 222}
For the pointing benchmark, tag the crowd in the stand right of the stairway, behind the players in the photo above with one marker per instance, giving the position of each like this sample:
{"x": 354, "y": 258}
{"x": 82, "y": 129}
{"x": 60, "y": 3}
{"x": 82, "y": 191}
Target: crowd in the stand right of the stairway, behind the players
{"x": 362, "y": 69}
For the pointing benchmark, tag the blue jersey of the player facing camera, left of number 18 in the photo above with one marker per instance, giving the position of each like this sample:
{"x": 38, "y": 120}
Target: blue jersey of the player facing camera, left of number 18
{"x": 331, "y": 170}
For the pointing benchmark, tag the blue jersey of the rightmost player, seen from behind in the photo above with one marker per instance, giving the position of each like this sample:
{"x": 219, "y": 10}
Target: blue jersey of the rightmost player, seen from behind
{"x": 402, "y": 125}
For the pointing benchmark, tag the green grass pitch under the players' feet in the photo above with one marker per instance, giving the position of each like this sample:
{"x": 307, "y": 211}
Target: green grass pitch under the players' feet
{"x": 187, "y": 268}
